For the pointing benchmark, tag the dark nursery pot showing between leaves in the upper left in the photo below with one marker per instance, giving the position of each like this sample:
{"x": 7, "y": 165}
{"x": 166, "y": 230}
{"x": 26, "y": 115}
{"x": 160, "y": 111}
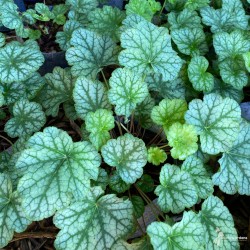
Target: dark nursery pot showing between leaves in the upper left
{"x": 52, "y": 60}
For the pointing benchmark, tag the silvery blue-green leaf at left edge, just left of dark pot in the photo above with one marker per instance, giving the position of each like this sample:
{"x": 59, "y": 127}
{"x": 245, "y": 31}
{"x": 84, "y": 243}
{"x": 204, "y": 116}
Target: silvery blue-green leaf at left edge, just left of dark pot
{"x": 18, "y": 61}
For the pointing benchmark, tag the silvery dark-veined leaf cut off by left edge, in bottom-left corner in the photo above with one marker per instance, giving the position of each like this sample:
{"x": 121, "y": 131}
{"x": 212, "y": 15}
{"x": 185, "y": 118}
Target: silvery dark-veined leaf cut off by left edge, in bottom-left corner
{"x": 12, "y": 218}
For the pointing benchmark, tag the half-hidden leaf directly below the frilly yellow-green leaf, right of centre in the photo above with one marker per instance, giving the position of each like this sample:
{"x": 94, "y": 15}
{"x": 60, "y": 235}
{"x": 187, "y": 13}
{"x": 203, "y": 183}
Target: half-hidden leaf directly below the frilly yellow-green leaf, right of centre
{"x": 201, "y": 178}
